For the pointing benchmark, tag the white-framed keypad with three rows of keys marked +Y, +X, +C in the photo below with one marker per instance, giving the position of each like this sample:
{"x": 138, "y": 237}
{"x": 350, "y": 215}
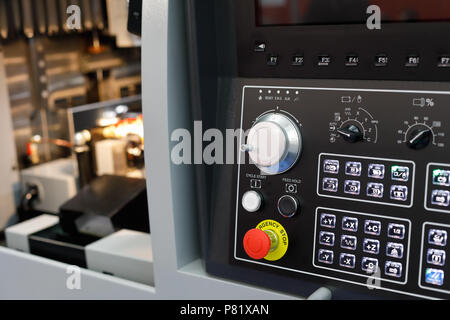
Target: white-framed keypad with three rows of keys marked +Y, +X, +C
{"x": 380, "y": 245}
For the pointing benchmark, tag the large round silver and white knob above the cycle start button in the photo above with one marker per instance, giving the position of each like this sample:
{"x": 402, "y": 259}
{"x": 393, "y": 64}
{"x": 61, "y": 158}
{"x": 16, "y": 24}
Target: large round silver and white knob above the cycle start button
{"x": 274, "y": 143}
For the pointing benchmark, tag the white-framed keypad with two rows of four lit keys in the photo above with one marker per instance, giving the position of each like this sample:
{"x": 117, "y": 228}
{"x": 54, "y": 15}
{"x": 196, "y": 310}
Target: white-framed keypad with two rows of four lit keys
{"x": 383, "y": 181}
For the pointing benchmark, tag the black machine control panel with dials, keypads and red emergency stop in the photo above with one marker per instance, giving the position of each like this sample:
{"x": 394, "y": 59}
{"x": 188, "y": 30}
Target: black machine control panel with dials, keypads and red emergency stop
{"x": 349, "y": 185}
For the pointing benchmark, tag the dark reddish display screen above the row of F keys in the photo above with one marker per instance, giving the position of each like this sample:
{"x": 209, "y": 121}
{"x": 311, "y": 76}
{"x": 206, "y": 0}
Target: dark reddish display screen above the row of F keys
{"x": 317, "y": 12}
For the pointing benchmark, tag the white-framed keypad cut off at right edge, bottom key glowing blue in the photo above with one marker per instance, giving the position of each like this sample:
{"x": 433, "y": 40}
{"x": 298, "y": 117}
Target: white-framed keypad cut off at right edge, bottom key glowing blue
{"x": 434, "y": 265}
